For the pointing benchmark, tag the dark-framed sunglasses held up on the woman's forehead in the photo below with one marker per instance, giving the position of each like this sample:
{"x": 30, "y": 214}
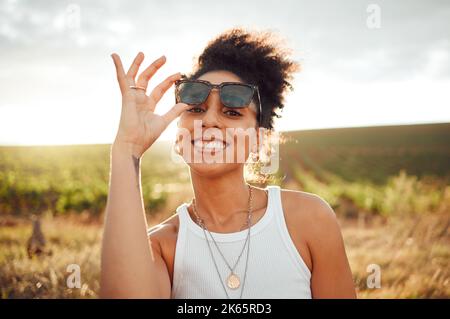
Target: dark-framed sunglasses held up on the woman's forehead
{"x": 232, "y": 94}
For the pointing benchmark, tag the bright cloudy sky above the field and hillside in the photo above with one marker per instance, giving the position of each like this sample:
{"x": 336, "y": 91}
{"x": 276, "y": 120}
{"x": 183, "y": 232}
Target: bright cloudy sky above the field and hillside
{"x": 364, "y": 62}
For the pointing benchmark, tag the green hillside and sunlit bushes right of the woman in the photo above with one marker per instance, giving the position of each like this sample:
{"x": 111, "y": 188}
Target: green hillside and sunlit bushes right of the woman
{"x": 380, "y": 170}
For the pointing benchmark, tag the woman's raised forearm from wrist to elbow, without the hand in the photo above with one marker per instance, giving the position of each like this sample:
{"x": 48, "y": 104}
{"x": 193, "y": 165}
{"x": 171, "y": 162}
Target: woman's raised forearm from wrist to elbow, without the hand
{"x": 130, "y": 269}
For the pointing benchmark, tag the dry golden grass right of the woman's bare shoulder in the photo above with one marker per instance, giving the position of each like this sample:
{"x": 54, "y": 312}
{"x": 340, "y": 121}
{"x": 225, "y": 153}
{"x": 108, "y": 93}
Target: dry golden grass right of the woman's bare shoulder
{"x": 413, "y": 255}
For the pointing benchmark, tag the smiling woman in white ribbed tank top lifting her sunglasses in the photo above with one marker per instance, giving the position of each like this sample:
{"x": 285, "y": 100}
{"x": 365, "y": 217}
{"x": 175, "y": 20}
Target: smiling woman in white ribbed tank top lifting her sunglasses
{"x": 232, "y": 240}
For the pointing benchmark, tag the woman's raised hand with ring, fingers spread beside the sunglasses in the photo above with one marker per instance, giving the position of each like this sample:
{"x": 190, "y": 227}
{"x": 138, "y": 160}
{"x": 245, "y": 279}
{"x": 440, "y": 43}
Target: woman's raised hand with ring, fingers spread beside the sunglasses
{"x": 139, "y": 126}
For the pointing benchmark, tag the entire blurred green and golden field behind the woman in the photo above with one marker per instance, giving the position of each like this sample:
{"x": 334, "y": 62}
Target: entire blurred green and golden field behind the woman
{"x": 388, "y": 185}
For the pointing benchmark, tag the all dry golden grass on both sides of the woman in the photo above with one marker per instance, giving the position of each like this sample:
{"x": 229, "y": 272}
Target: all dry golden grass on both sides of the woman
{"x": 413, "y": 254}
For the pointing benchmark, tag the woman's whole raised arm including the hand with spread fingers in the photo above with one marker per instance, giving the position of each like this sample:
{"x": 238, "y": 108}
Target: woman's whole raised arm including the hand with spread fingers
{"x": 130, "y": 267}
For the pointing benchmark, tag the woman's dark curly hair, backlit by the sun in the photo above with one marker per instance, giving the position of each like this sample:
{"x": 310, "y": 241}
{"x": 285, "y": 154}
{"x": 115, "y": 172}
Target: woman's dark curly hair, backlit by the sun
{"x": 255, "y": 57}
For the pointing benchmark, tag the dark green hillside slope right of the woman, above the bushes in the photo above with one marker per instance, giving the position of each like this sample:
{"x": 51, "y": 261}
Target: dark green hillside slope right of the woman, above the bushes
{"x": 373, "y": 154}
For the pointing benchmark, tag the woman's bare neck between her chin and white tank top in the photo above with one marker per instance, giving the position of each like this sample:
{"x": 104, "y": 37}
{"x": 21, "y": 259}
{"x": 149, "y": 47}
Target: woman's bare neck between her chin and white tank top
{"x": 222, "y": 202}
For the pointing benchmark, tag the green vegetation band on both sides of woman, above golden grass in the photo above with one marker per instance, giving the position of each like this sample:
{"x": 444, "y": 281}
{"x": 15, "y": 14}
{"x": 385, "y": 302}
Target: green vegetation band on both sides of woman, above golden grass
{"x": 372, "y": 167}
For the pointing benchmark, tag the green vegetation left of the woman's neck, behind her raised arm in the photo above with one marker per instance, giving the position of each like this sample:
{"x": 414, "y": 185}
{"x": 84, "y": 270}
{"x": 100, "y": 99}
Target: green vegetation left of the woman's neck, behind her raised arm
{"x": 63, "y": 179}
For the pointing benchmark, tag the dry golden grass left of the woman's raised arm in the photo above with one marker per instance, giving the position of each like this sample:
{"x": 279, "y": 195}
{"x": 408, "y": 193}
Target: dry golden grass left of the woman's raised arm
{"x": 45, "y": 276}
